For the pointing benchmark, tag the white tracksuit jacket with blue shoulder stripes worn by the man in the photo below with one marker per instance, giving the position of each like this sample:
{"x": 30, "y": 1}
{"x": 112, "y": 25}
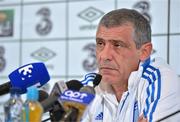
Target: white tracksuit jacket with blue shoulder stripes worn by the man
{"x": 153, "y": 90}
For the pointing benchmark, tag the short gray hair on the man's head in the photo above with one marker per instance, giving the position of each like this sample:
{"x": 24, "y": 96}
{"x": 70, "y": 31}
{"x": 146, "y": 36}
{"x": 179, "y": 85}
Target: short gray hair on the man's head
{"x": 121, "y": 17}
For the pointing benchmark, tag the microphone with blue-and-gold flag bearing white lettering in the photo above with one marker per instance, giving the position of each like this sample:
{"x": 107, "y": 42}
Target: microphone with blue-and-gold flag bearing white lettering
{"x": 75, "y": 104}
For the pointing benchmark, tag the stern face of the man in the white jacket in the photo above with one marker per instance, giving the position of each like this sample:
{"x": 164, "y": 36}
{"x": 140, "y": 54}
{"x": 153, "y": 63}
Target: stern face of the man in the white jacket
{"x": 116, "y": 52}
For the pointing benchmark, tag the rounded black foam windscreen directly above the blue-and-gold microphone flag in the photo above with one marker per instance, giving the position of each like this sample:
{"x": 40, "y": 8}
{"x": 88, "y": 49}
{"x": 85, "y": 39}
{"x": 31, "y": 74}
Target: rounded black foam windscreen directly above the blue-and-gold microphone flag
{"x": 74, "y": 85}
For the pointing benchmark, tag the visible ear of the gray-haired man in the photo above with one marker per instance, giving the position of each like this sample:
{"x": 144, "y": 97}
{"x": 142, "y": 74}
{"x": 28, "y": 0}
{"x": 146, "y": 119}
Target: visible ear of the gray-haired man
{"x": 145, "y": 51}
